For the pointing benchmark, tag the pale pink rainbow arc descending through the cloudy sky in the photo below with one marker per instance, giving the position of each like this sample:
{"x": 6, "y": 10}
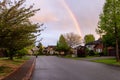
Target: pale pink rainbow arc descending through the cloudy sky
{"x": 73, "y": 17}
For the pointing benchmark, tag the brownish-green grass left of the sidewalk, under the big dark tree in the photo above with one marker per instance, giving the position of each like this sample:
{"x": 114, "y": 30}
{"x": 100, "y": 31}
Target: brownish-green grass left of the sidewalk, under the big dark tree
{"x": 7, "y": 66}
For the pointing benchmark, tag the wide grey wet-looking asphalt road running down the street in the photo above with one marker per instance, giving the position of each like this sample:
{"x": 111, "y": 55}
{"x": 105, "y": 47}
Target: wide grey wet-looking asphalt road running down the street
{"x": 55, "y": 68}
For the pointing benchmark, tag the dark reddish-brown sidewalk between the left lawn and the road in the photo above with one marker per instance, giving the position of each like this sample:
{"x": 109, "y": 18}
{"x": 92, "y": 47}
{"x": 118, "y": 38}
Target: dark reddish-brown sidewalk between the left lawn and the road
{"x": 24, "y": 72}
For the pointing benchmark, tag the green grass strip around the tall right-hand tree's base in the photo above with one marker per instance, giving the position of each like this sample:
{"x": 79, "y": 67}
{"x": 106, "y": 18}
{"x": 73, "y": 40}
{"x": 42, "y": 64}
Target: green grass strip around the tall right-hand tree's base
{"x": 108, "y": 61}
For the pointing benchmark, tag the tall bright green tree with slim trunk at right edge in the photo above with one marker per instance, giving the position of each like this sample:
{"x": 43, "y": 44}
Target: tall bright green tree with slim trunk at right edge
{"x": 110, "y": 21}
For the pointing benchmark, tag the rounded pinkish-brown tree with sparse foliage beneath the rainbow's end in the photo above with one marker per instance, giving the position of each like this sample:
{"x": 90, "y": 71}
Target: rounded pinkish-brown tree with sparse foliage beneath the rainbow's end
{"x": 72, "y": 39}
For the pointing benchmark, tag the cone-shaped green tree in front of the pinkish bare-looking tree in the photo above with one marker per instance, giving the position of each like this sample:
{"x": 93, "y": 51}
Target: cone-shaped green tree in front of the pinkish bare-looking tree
{"x": 62, "y": 44}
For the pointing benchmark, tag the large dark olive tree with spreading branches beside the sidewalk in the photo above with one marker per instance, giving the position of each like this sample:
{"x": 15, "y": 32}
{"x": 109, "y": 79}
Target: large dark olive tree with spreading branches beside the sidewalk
{"x": 16, "y": 30}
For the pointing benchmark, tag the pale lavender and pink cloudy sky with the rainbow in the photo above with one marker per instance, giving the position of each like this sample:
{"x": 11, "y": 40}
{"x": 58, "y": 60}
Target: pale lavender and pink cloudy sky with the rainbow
{"x": 64, "y": 16}
